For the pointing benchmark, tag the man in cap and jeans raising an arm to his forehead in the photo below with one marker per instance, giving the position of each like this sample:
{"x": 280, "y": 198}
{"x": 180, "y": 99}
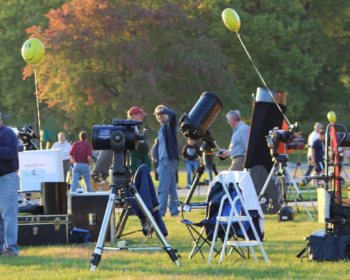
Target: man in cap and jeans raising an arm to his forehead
{"x": 168, "y": 155}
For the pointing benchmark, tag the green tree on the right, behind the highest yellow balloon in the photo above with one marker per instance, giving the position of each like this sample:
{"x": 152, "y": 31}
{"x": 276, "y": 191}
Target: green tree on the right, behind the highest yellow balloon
{"x": 298, "y": 46}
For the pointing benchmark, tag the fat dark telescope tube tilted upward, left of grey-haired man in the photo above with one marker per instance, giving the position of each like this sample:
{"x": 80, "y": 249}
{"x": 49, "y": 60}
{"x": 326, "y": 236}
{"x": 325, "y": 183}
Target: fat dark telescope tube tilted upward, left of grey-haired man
{"x": 202, "y": 116}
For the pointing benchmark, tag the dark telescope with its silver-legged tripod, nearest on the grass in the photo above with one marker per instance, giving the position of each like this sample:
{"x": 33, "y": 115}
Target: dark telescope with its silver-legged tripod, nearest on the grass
{"x": 122, "y": 136}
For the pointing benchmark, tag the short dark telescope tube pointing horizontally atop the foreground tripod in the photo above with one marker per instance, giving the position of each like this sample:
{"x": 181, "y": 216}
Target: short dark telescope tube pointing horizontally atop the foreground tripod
{"x": 121, "y": 136}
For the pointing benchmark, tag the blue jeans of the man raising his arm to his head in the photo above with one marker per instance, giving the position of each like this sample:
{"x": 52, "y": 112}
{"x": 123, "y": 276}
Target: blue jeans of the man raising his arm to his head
{"x": 167, "y": 186}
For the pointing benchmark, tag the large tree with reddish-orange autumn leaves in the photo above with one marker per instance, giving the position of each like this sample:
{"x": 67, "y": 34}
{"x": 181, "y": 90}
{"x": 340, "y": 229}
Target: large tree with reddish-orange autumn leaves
{"x": 103, "y": 57}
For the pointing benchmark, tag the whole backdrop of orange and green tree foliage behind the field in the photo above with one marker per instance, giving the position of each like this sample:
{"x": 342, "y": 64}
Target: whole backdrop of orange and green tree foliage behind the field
{"x": 105, "y": 56}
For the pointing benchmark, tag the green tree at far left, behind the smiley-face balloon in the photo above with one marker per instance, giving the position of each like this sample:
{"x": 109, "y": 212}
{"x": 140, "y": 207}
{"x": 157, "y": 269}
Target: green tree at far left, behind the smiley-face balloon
{"x": 15, "y": 17}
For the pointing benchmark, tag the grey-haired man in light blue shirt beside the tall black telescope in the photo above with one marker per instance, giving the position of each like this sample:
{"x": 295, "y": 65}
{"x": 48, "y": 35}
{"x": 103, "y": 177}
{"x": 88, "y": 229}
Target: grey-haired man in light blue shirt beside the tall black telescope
{"x": 239, "y": 140}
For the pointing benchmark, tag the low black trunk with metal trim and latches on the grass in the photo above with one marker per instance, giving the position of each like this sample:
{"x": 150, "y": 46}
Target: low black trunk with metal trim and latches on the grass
{"x": 44, "y": 229}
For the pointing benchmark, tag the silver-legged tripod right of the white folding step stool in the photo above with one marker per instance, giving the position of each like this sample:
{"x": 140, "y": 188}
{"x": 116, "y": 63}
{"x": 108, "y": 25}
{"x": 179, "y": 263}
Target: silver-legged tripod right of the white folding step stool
{"x": 283, "y": 170}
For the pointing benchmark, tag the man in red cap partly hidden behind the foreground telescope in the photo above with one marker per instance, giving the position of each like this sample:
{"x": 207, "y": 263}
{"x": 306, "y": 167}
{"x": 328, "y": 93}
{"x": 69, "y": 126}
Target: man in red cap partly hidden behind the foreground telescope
{"x": 140, "y": 156}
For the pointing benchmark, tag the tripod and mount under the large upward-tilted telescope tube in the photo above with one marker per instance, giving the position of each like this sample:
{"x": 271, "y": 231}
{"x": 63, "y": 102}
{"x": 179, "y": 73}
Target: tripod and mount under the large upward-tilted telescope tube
{"x": 207, "y": 161}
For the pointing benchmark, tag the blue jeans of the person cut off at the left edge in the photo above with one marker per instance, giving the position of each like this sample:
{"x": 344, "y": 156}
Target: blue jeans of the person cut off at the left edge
{"x": 9, "y": 185}
